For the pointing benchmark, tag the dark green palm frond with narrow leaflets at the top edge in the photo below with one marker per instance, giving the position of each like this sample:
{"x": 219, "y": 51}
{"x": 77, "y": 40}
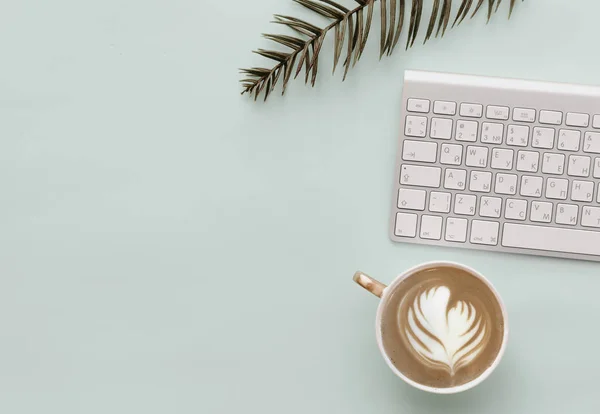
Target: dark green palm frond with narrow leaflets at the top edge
{"x": 351, "y": 29}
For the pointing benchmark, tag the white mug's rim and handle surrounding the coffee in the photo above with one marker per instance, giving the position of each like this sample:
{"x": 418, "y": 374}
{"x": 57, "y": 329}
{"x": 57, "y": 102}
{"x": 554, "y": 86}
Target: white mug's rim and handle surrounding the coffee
{"x": 384, "y": 292}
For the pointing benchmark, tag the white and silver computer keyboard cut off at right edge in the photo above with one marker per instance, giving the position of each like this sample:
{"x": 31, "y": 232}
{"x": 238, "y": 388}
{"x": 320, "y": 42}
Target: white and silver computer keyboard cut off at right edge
{"x": 498, "y": 164}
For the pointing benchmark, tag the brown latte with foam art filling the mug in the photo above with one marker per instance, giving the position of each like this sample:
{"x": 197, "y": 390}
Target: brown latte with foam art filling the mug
{"x": 442, "y": 327}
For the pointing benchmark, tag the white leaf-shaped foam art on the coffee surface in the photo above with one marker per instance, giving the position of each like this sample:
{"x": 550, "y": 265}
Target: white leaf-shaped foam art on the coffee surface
{"x": 446, "y": 337}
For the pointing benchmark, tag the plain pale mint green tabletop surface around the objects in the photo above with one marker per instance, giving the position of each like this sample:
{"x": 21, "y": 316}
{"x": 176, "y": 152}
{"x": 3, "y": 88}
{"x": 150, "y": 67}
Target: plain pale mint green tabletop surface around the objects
{"x": 167, "y": 246}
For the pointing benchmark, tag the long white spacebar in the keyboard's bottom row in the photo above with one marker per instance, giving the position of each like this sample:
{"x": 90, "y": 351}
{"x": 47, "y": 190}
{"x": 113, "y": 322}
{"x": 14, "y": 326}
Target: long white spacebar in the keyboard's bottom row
{"x": 551, "y": 239}
